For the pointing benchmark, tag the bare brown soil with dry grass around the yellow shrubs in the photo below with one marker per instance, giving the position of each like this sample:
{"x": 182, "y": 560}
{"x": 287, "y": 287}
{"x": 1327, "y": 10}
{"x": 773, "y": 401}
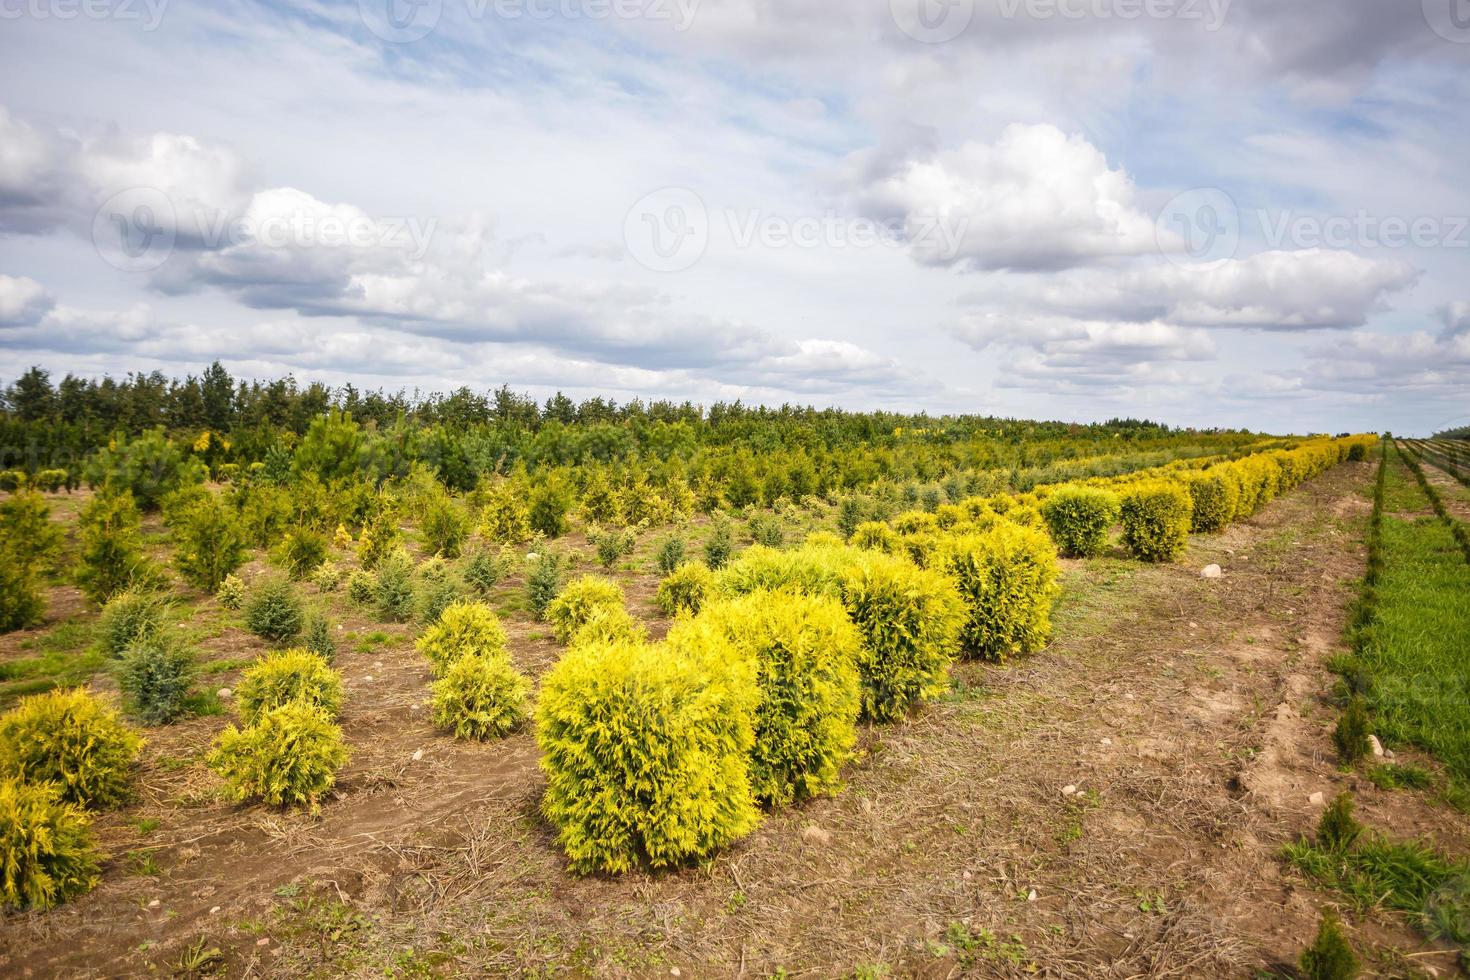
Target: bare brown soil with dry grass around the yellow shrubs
{"x": 1114, "y": 807}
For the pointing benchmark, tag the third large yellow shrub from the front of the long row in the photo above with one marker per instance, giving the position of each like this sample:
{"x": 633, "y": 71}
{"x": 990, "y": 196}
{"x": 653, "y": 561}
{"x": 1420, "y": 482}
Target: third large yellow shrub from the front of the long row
{"x": 911, "y": 621}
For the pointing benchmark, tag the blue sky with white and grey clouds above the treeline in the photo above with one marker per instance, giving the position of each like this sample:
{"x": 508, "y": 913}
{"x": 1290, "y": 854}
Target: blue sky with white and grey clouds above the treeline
{"x": 1203, "y": 212}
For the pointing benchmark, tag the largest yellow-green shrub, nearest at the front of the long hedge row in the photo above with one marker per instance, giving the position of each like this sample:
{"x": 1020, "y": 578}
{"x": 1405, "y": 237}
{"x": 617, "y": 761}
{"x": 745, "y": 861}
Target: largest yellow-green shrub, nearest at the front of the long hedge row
{"x": 648, "y": 756}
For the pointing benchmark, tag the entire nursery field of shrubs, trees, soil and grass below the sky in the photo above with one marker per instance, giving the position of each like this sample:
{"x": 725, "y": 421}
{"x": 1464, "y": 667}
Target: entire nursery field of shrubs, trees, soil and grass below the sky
{"x": 490, "y": 688}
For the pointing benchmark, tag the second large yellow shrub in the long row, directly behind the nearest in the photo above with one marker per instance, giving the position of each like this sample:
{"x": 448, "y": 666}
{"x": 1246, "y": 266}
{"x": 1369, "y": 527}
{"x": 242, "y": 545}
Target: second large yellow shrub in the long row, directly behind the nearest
{"x": 805, "y": 652}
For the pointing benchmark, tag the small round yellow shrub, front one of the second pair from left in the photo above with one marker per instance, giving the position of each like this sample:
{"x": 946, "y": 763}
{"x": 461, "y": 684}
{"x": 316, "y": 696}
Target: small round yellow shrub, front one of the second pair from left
{"x": 289, "y": 757}
